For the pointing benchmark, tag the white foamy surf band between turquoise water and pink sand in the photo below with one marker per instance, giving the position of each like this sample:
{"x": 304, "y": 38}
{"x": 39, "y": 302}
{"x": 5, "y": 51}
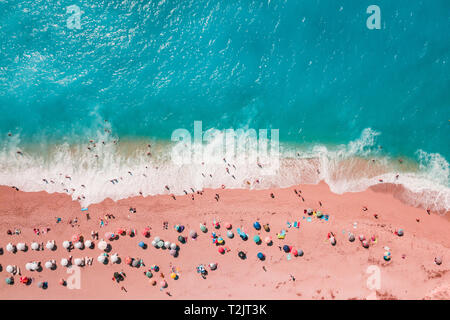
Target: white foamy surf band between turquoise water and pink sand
{"x": 345, "y": 168}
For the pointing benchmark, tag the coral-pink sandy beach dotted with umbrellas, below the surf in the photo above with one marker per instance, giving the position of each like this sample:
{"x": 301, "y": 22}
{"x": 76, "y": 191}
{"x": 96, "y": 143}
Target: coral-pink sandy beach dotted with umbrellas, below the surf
{"x": 324, "y": 272}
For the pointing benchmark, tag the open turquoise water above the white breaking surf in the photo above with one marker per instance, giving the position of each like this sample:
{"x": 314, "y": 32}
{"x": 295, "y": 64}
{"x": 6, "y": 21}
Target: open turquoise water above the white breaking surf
{"x": 309, "y": 68}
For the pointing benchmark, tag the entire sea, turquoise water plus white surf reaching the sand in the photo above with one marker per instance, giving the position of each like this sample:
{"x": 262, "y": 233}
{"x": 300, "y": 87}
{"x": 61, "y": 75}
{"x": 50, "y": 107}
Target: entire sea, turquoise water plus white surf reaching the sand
{"x": 340, "y": 94}
